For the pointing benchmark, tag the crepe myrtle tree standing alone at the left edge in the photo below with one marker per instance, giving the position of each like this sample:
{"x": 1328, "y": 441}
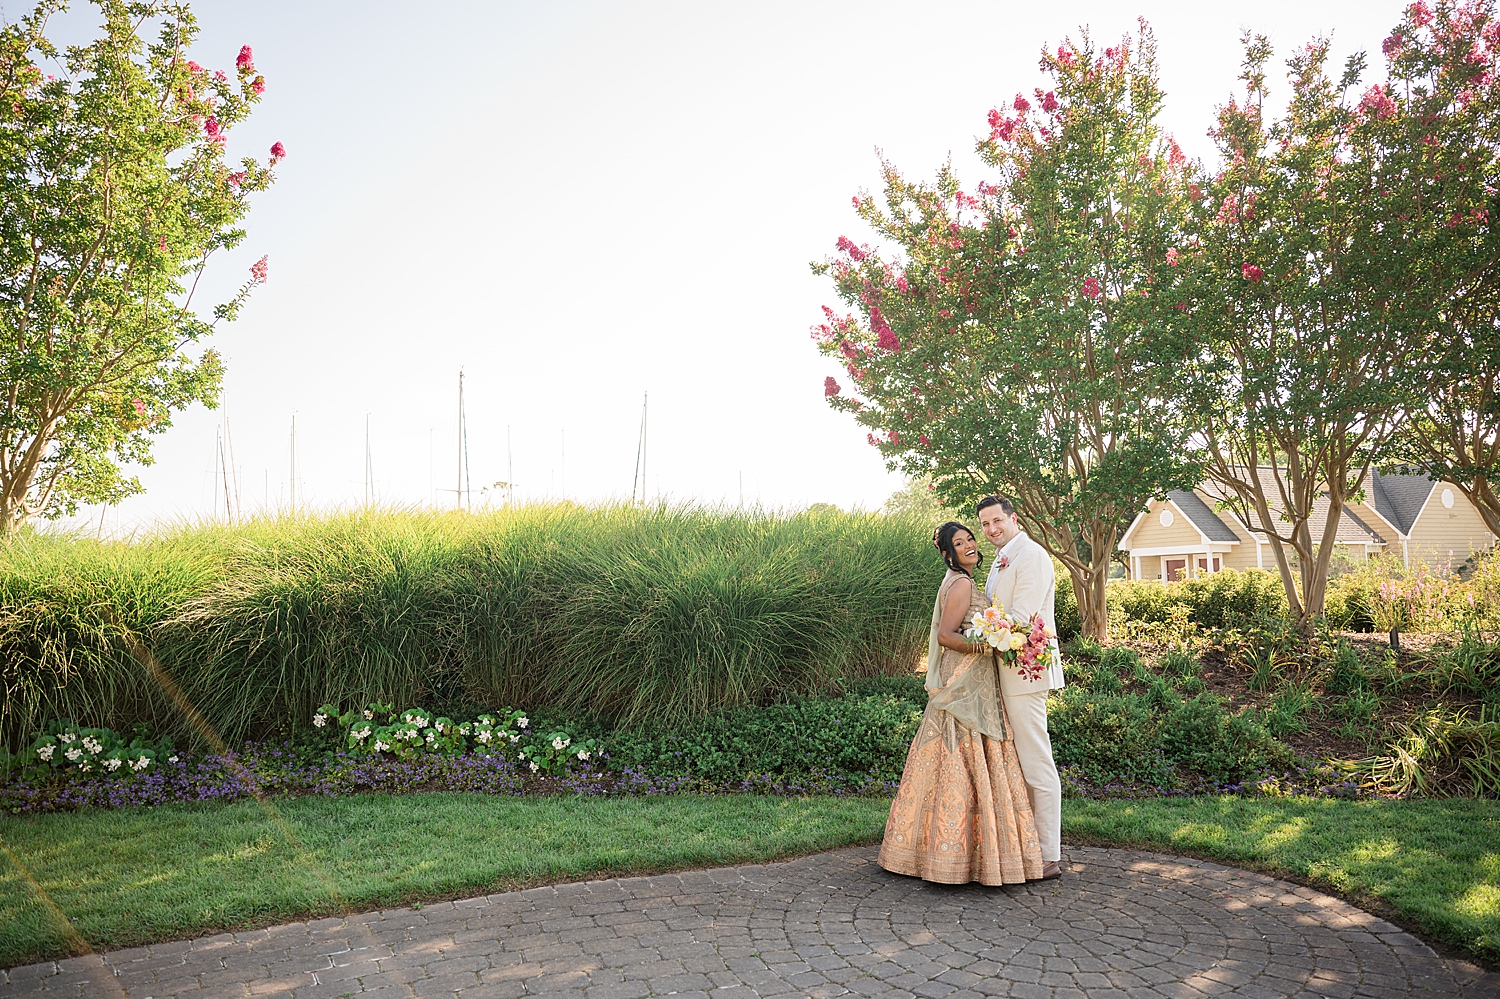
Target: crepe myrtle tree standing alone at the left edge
{"x": 115, "y": 193}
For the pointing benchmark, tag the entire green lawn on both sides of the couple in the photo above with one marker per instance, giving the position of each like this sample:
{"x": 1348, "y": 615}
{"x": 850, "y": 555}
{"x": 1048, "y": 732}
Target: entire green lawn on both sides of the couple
{"x": 121, "y": 878}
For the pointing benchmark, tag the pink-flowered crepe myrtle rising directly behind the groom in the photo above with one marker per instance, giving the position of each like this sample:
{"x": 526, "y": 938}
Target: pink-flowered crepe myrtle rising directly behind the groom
{"x": 1015, "y": 341}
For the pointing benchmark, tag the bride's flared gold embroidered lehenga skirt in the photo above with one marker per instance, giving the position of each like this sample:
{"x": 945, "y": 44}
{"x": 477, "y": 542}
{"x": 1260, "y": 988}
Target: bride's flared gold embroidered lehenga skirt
{"x": 962, "y": 812}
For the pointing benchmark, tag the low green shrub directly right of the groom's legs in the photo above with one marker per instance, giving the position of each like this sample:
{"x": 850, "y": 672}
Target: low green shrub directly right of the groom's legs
{"x": 1106, "y": 736}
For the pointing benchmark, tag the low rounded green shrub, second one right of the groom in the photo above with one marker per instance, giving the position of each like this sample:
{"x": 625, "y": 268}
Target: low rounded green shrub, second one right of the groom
{"x": 1219, "y": 745}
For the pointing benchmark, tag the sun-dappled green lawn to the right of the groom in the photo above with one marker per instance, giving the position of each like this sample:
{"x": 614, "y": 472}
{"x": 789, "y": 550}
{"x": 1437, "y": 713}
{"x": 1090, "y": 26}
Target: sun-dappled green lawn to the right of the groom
{"x": 1430, "y": 865}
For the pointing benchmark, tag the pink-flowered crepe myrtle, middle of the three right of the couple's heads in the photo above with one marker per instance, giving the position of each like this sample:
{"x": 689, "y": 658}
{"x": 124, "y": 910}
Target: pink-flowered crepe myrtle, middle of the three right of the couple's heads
{"x": 1330, "y": 247}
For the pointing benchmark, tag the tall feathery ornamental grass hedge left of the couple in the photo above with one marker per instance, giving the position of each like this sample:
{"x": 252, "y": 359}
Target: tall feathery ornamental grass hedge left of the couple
{"x": 625, "y": 613}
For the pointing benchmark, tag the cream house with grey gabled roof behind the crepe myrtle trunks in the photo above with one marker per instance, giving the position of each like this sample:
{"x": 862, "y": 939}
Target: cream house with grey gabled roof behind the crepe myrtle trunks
{"x": 1189, "y": 533}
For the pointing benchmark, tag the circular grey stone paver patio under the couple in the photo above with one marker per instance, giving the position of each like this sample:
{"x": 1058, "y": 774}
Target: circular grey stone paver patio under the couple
{"x": 1121, "y": 923}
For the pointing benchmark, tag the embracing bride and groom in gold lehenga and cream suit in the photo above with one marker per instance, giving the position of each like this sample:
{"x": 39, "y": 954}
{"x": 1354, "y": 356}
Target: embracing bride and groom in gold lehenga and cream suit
{"x": 980, "y": 797}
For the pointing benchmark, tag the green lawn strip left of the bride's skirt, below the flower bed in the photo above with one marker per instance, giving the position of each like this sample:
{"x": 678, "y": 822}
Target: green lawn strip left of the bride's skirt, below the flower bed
{"x": 131, "y": 877}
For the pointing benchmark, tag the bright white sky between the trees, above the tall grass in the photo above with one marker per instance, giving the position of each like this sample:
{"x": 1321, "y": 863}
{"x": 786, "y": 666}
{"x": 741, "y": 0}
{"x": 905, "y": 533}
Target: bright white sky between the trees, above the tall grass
{"x": 580, "y": 203}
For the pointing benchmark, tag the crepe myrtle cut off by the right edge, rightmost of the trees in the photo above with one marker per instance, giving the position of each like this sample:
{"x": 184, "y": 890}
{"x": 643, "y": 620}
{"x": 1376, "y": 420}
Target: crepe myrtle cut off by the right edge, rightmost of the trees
{"x": 1442, "y": 127}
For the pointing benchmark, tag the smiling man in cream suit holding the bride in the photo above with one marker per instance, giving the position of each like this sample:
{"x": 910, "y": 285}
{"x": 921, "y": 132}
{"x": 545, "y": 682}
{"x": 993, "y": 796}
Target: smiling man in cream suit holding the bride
{"x": 1025, "y": 584}
